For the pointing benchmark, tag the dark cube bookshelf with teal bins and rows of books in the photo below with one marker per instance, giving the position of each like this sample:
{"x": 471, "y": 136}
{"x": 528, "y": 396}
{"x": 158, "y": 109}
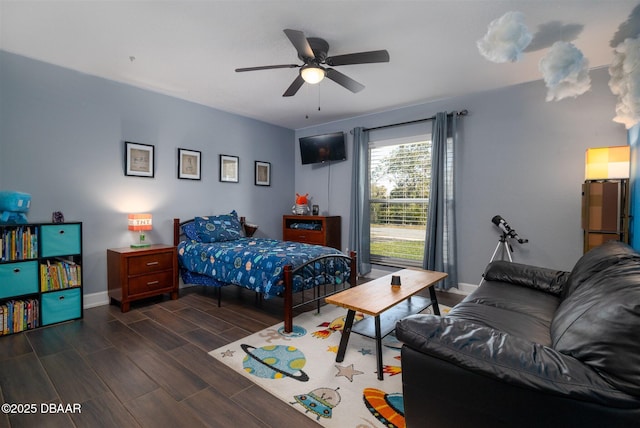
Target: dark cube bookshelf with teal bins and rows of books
{"x": 40, "y": 275}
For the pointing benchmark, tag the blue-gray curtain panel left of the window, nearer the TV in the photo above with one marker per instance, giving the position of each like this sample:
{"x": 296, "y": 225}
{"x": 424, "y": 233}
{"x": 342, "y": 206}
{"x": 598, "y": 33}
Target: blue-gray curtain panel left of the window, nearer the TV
{"x": 359, "y": 226}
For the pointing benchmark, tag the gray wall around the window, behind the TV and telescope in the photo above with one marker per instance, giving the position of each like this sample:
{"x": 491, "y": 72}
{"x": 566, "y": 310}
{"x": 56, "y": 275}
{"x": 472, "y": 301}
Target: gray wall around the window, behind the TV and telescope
{"x": 520, "y": 157}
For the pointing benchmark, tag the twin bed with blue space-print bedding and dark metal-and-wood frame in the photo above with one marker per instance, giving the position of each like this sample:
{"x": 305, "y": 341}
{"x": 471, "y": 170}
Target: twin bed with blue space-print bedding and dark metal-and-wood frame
{"x": 214, "y": 251}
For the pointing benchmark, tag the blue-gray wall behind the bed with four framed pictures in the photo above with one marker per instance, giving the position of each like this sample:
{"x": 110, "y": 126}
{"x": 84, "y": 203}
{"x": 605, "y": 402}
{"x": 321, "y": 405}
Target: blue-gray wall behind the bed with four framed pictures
{"x": 61, "y": 140}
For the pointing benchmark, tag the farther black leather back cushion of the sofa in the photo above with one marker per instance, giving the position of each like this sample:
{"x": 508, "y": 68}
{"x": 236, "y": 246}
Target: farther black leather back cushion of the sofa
{"x": 599, "y": 258}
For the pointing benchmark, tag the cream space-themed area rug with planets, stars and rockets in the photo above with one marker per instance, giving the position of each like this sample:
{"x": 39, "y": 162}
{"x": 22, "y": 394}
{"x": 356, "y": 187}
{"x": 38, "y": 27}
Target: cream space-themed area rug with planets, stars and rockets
{"x": 300, "y": 369}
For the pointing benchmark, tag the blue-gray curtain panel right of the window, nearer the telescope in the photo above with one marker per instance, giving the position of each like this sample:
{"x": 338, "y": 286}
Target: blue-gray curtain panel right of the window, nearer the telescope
{"x": 440, "y": 240}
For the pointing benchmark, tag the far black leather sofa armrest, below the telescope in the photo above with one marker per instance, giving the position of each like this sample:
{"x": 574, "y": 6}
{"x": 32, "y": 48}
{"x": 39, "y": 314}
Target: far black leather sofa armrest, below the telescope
{"x": 543, "y": 279}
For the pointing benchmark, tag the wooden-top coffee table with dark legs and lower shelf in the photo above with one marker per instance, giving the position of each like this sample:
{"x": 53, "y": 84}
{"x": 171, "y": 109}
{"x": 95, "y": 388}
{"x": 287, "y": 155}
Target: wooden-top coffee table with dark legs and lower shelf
{"x": 386, "y": 305}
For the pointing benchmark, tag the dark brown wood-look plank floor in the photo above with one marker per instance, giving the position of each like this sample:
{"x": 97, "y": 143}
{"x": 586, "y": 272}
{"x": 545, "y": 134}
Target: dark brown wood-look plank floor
{"x": 145, "y": 368}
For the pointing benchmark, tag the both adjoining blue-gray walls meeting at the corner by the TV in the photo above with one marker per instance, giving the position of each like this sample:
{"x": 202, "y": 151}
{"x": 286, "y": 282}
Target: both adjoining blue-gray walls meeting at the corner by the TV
{"x": 61, "y": 137}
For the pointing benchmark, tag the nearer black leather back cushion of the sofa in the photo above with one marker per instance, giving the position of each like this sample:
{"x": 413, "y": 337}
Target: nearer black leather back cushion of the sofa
{"x": 599, "y": 324}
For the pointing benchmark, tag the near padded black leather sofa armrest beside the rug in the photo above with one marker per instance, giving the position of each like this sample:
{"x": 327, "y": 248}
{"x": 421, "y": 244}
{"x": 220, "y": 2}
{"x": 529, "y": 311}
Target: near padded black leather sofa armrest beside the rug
{"x": 506, "y": 358}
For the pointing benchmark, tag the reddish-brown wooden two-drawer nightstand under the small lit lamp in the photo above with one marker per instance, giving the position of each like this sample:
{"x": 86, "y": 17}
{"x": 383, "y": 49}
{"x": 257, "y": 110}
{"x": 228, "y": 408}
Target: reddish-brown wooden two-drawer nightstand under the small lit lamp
{"x": 138, "y": 273}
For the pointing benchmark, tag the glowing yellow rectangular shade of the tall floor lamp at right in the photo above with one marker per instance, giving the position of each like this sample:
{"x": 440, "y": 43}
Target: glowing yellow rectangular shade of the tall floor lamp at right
{"x": 604, "y": 163}
